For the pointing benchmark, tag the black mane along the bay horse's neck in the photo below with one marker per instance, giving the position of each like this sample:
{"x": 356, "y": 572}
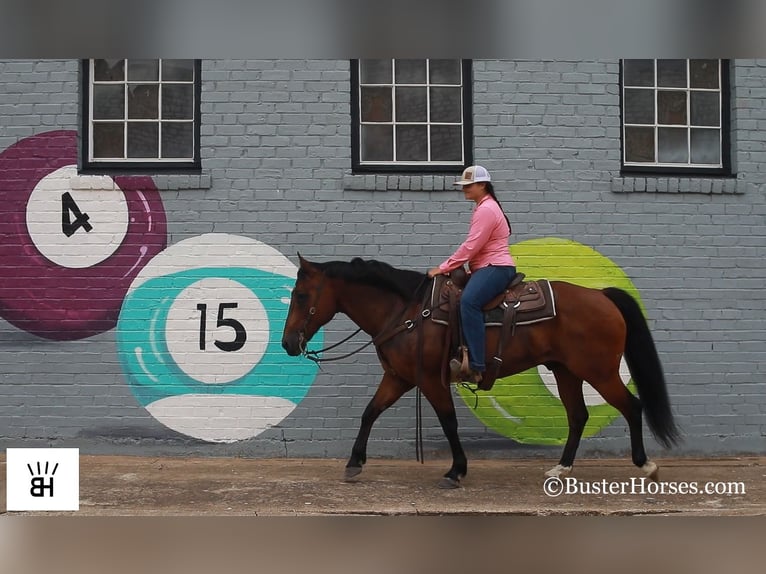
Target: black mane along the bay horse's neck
{"x": 409, "y": 285}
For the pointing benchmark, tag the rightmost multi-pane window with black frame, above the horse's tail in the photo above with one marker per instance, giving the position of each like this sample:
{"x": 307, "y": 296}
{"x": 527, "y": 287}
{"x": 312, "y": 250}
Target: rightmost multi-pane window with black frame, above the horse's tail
{"x": 675, "y": 116}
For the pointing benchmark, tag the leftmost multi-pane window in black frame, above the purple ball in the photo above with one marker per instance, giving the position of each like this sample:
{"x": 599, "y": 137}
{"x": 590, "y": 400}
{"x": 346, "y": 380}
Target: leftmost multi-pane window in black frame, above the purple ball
{"x": 141, "y": 114}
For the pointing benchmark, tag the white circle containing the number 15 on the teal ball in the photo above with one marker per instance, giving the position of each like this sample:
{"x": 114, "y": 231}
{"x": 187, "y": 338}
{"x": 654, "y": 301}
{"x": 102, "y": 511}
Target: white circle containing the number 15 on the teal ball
{"x": 217, "y": 330}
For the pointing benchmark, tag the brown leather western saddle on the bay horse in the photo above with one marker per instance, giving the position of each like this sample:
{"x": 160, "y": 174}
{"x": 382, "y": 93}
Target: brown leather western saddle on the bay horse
{"x": 521, "y": 303}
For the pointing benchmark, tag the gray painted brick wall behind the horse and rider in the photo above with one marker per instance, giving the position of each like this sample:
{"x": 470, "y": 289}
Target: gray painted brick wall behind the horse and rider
{"x": 275, "y": 143}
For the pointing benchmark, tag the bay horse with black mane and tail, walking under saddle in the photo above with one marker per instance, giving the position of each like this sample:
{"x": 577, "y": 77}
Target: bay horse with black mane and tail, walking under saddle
{"x": 585, "y": 341}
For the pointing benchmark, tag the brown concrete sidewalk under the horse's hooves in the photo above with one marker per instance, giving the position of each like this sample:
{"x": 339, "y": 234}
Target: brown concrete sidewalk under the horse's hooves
{"x": 151, "y": 486}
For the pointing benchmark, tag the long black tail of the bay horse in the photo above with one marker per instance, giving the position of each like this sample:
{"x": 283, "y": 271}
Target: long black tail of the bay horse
{"x": 645, "y": 368}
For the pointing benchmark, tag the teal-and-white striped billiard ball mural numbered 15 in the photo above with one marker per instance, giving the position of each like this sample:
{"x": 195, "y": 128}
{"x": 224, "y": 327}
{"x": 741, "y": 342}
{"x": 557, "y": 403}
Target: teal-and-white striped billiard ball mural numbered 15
{"x": 199, "y": 338}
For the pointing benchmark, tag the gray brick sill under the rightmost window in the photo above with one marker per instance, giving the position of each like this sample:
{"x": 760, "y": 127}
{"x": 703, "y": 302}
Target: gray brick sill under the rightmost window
{"x": 680, "y": 184}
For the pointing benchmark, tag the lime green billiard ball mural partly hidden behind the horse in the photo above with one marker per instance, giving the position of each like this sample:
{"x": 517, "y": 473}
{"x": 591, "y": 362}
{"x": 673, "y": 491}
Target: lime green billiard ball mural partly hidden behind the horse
{"x": 526, "y": 406}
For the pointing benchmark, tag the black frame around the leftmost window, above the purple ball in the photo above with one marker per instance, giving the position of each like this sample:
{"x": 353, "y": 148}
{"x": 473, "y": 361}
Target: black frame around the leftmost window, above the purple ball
{"x": 137, "y": 166}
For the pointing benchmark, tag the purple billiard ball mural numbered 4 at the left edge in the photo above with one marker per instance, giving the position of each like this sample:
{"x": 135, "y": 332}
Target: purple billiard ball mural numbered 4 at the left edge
{"x": 70, "y": 245}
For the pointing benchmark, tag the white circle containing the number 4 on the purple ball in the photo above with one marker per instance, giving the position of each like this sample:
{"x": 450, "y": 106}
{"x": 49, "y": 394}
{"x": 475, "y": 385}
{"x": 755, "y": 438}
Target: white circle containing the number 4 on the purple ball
{"x": 76, "y": 228}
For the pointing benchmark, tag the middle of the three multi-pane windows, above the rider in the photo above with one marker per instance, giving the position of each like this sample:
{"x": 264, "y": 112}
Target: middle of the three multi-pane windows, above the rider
{"x": 411, "y": 115}
